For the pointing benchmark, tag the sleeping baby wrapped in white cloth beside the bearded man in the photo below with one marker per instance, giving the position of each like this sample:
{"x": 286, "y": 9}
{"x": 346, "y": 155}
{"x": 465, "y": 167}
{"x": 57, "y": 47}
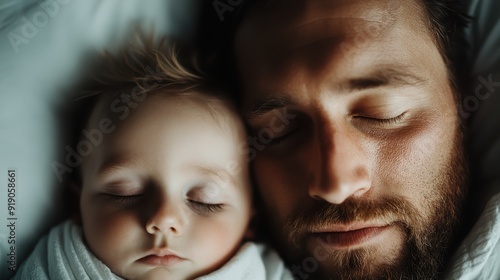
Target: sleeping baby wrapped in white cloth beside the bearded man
{"x": 164, "y": 189}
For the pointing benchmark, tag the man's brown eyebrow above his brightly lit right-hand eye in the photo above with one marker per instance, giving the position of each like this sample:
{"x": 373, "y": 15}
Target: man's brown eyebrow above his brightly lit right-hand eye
{"x": 386, "y": 75}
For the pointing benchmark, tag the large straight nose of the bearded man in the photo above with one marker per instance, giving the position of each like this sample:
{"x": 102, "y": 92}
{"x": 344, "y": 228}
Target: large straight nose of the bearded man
{"x": 342, "y": 169}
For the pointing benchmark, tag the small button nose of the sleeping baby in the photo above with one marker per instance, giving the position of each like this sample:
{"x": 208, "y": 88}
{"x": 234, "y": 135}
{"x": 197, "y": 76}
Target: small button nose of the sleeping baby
{"x": 167, "y": 218}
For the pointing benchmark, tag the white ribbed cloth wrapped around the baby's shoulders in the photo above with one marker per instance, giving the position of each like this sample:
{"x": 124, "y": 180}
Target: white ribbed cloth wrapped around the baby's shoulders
{"x": 63, "y": 255}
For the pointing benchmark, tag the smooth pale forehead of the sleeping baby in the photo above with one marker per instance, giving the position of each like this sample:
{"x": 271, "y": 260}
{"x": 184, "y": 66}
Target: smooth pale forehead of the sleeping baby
{"x": 173, "y": 117}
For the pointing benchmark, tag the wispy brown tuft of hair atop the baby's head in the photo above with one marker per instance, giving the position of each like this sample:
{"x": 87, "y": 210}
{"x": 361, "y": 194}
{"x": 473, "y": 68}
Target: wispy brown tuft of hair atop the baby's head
{"x": 169, "y": 65}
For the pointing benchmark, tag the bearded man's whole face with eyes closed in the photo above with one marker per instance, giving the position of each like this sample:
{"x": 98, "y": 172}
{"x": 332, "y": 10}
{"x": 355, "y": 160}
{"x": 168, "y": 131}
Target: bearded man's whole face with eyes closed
{"x": 359, "y": 160}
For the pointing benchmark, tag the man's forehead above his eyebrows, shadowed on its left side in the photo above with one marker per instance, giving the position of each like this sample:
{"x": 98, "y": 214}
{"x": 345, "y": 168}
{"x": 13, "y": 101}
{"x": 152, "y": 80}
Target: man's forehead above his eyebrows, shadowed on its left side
{"x": 316, "y": 33}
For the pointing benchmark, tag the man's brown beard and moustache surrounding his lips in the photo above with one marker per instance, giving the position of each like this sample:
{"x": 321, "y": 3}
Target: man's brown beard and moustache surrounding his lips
{"x": 427, "y": 236}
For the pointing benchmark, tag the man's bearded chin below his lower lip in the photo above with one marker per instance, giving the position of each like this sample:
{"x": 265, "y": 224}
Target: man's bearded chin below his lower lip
{"x": 391, "y": 254}
